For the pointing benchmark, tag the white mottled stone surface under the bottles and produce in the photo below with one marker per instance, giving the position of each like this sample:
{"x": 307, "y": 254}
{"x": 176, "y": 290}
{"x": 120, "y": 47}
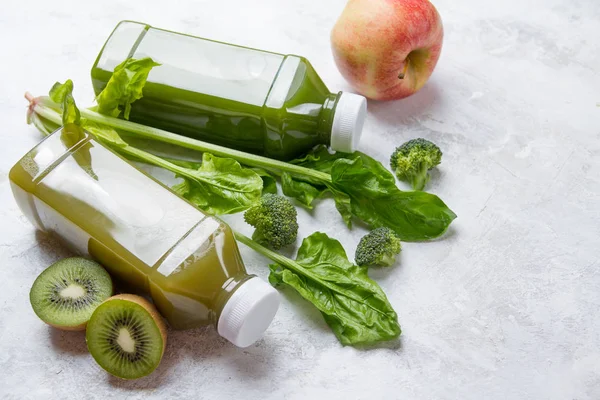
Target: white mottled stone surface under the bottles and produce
{"x": 506, "y": 306}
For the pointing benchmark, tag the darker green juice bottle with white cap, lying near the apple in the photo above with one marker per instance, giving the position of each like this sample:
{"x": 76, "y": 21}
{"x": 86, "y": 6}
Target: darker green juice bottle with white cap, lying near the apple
{"x": 252, "y": 100}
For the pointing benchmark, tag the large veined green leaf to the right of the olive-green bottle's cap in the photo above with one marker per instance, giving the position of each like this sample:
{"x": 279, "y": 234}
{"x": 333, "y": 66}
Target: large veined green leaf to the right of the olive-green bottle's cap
{"x": 353, "y": 305}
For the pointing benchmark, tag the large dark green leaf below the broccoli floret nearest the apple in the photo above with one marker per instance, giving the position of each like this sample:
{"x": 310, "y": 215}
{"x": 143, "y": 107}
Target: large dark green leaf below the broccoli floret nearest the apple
{"x": 414, "y": 216}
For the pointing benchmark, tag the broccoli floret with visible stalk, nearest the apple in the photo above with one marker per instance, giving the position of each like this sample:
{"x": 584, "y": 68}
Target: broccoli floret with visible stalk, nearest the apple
{"x": 411, "y": 161}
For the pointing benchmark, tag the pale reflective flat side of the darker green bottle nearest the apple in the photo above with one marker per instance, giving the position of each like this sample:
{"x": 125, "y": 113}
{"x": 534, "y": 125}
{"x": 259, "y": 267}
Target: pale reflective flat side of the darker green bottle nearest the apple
{"x": 193, "y": 64}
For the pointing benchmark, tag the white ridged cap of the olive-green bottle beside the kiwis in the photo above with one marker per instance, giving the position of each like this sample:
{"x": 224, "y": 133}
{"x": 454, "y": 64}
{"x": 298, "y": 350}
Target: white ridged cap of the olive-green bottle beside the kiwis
{"x": 248, "y": 312}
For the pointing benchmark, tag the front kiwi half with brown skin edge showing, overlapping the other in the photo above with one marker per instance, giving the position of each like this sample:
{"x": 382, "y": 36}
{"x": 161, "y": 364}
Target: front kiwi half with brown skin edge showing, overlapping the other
{"x": 126, "y": 336}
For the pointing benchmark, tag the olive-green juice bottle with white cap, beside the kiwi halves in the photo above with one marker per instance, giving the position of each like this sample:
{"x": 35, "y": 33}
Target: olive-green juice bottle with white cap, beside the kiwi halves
{"x": 145, "y": 235}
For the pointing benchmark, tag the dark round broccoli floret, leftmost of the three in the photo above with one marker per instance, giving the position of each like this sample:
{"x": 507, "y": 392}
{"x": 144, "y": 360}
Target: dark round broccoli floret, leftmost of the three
{"x": 275, "y": 220}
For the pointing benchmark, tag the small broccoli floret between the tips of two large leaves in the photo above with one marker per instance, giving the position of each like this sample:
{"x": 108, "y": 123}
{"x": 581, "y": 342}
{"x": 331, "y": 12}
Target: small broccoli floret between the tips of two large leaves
{"x": 378, "y": 247}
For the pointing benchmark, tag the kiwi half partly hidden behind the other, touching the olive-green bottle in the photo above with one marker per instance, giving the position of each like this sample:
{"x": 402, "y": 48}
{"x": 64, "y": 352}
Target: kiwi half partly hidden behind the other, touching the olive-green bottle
{"x": 66, "y": 294}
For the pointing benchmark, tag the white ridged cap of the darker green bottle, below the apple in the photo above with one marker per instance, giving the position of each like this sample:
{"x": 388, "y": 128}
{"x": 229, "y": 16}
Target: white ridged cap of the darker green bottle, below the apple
{"x": 348, "y": 121}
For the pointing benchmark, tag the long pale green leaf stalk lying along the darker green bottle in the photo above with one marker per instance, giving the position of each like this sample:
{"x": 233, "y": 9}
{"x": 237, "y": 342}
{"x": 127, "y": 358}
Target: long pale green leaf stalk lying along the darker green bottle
{"x": 134, "y": 129}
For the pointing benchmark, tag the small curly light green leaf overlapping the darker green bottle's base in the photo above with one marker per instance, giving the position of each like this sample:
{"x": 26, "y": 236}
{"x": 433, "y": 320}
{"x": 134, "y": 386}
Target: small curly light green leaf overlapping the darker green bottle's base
{"x": 124, "y": 87}
